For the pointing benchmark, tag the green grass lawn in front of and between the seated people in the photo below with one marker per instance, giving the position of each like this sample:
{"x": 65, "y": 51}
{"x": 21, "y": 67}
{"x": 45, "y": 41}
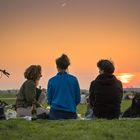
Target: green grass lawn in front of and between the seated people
{"x": 71, "y": 130}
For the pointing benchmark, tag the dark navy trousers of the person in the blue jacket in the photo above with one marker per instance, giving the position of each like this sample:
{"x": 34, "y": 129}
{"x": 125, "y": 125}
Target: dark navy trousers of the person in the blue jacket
{"x": 59, "y": 114}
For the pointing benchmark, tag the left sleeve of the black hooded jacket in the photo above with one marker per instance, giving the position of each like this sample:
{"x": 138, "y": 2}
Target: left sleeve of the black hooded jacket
{"x": 91, "y": 94}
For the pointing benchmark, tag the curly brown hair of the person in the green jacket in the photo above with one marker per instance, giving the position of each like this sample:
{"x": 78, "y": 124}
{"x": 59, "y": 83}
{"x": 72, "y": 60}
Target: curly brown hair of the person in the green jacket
{"x": 33, "y": 72}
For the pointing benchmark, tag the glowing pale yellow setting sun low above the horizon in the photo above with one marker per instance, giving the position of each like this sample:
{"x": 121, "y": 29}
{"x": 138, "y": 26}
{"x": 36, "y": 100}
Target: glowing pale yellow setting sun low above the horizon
{"x": 125, "y": 77}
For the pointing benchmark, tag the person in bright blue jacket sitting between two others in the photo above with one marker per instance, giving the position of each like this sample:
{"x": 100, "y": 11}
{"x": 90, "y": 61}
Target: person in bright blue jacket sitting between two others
{"x": 63, "y": 92}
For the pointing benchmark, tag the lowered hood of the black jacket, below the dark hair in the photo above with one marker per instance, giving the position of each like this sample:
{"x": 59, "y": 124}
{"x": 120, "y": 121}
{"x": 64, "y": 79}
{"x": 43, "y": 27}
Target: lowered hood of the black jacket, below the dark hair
{"x": 106, "y": 79}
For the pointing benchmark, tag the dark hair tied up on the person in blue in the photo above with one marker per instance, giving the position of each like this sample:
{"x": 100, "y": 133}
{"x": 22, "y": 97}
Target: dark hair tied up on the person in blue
{"x": 63, "y": 62}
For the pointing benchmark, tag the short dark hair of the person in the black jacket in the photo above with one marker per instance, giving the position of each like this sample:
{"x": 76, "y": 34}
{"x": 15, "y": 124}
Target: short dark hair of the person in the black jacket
{"x": 106, "y": 65}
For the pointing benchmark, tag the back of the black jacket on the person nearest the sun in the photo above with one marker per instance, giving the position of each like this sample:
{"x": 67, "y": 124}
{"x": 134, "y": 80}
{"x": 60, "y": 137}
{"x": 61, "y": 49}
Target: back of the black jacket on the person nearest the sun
{"x": 108, "y": 92}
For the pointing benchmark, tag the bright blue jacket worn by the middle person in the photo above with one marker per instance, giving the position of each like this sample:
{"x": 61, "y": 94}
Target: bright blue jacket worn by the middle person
{"x": 64, "y": 95}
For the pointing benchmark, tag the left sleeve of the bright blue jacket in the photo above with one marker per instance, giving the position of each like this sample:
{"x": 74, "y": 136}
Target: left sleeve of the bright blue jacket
{"x": 50, "y": 93}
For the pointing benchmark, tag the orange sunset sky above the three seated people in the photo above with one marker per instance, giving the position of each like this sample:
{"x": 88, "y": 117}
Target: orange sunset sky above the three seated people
{"x": 38, "y": 31}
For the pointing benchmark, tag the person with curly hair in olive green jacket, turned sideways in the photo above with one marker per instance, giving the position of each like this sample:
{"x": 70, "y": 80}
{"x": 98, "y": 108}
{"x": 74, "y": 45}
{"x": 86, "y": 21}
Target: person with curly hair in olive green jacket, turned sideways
{"x": 29, "y": 94}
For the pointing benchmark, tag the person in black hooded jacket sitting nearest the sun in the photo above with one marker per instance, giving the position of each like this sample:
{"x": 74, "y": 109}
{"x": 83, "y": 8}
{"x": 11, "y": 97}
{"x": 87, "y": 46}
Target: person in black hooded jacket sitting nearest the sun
{"x": 106, "y": 92}
